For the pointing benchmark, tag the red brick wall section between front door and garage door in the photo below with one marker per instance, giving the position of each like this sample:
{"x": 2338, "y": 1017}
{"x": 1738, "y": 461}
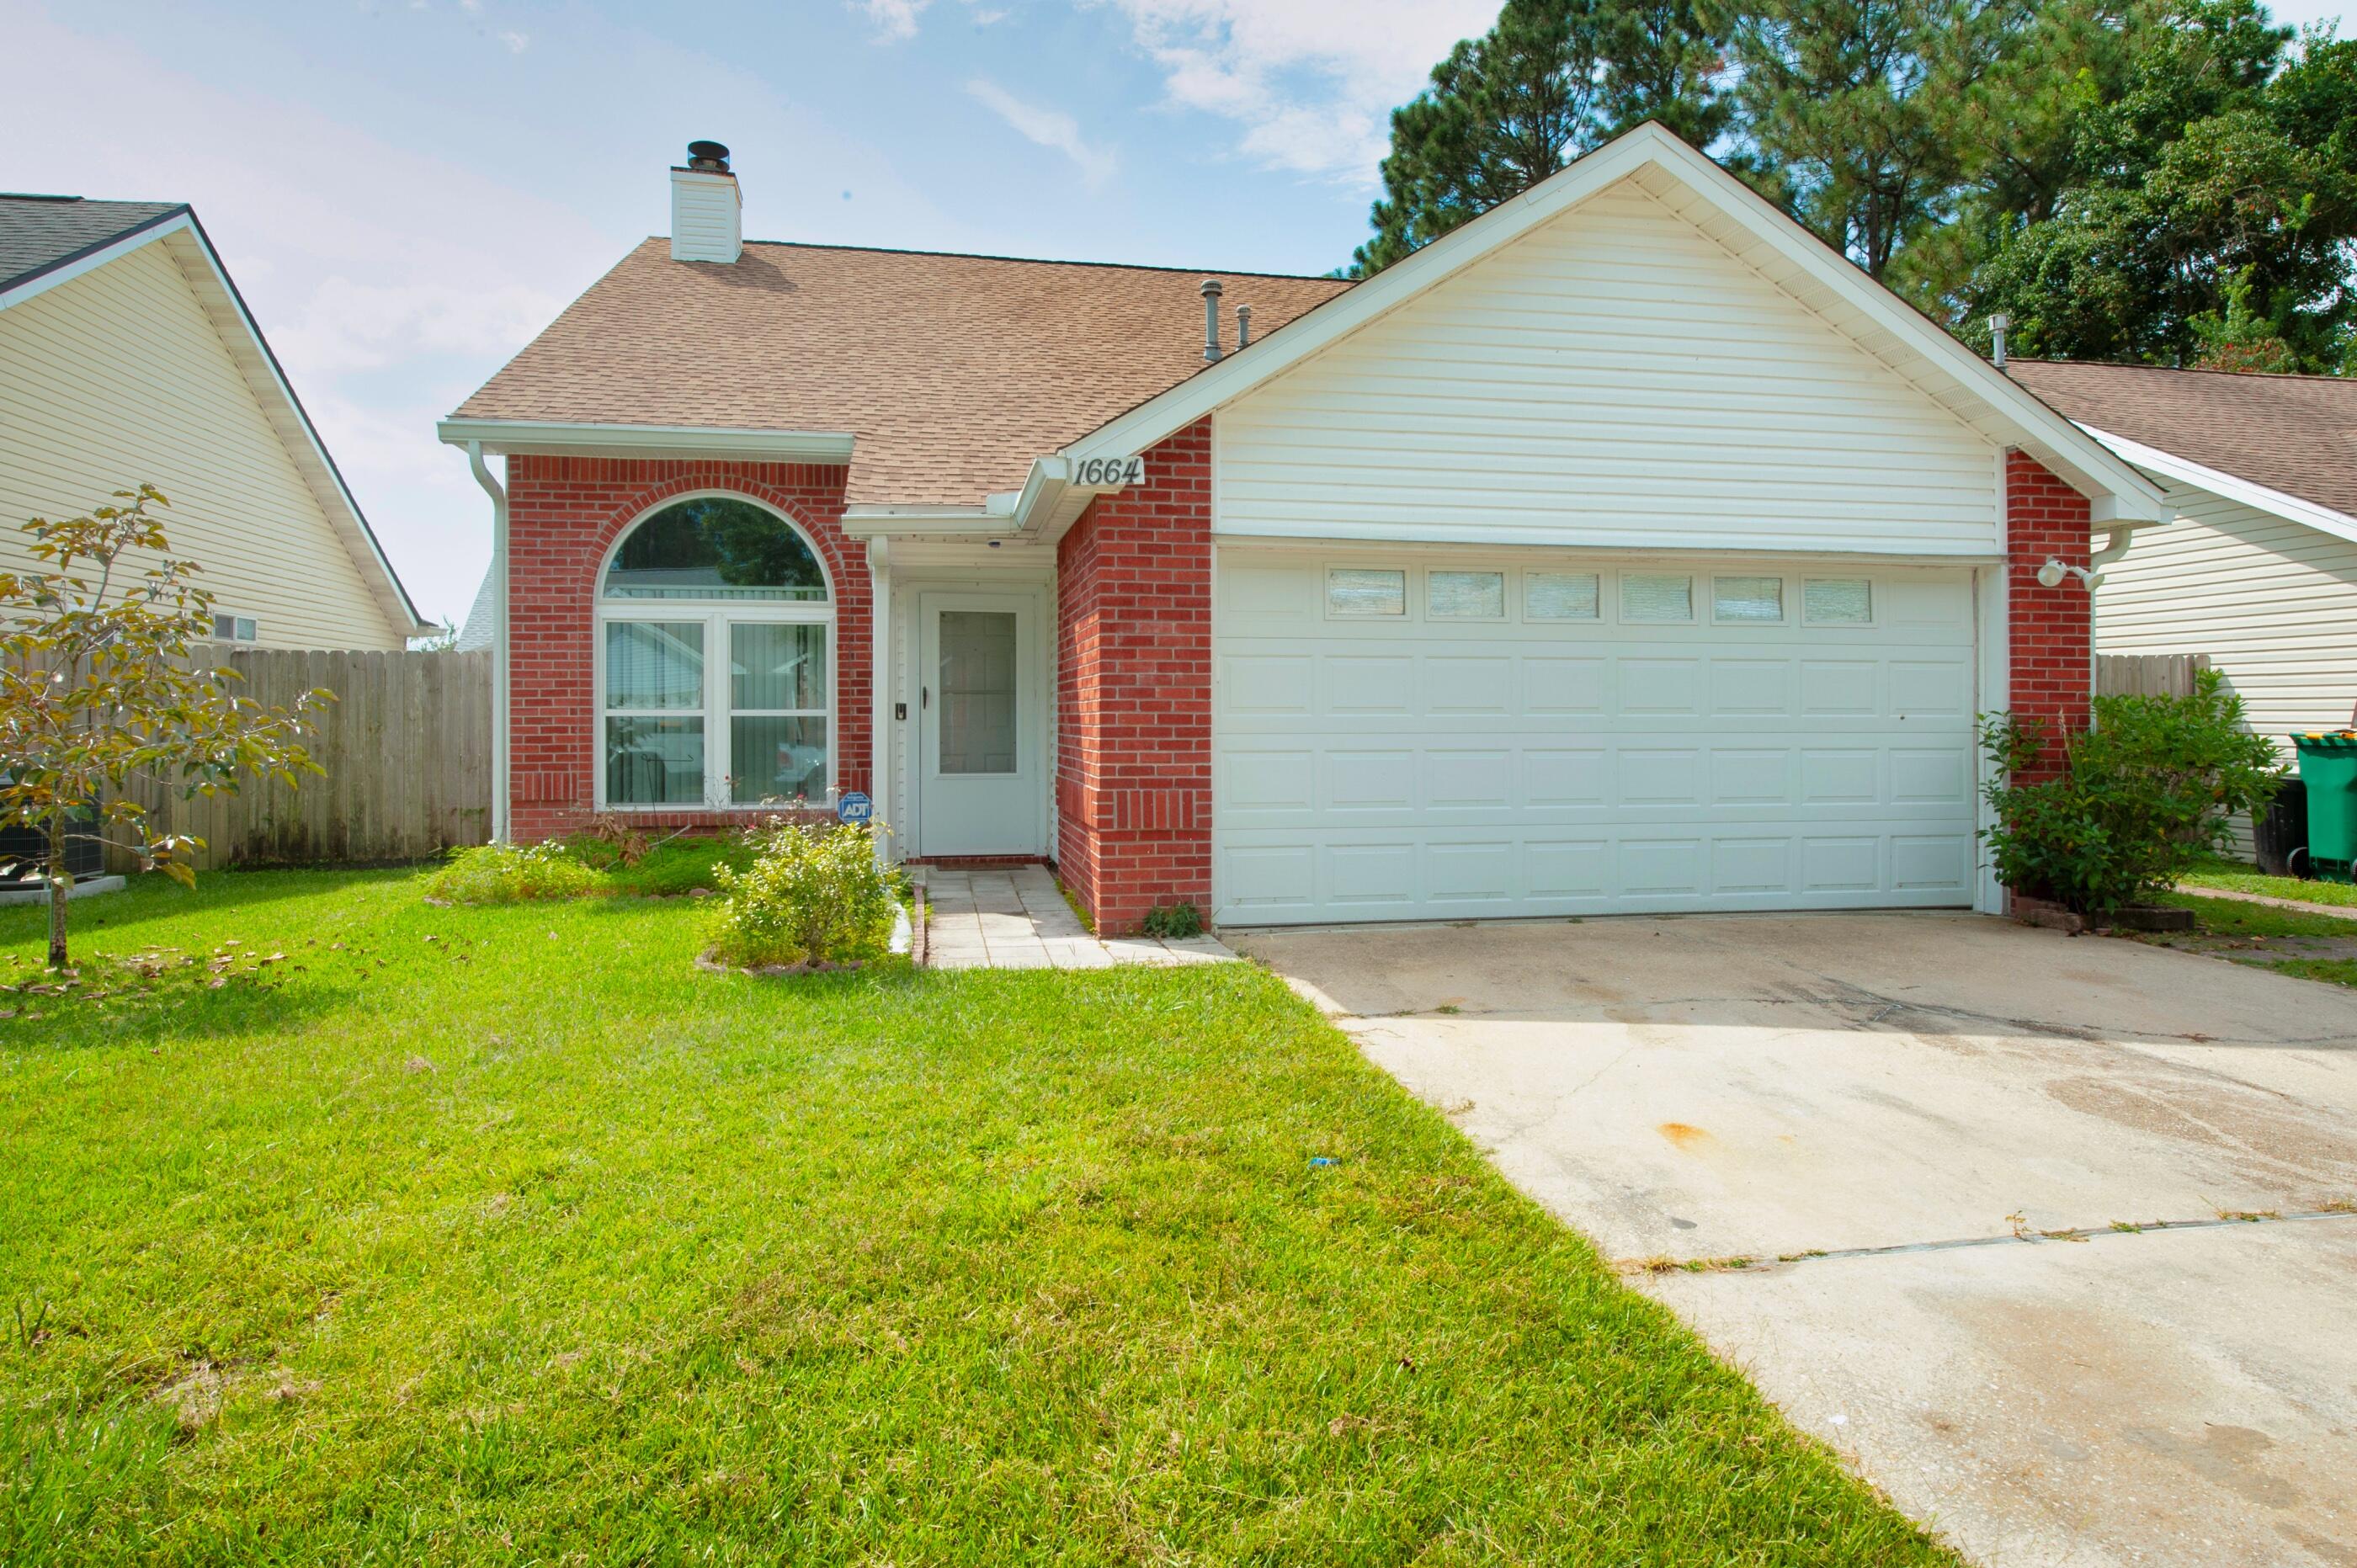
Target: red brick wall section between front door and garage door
{"x": 1135, "y": 692}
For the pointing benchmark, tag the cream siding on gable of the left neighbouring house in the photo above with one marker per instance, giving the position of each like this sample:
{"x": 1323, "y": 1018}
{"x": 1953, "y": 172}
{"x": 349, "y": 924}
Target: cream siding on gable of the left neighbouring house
{"x": 121, "y": 378}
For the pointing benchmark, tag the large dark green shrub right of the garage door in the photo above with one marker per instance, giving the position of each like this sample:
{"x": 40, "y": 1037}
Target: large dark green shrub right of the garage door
{"x": 2144, "y": 796}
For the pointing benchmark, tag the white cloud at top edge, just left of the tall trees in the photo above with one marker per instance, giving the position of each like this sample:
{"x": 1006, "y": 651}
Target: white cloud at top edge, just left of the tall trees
{"x": 1309, "y": 81}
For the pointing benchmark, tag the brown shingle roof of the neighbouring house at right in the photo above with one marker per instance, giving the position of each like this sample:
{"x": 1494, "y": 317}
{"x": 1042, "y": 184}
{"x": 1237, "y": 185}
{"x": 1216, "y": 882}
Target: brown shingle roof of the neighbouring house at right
{"x": 2295, "y": 435}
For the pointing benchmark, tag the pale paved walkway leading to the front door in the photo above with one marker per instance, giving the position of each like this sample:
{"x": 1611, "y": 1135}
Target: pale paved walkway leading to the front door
{"x": 1019, "y": 921}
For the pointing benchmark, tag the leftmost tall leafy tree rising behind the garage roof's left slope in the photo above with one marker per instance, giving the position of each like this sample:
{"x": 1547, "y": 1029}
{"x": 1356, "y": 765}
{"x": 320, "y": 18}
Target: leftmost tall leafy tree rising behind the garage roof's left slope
{"x": 1540, "y": 88}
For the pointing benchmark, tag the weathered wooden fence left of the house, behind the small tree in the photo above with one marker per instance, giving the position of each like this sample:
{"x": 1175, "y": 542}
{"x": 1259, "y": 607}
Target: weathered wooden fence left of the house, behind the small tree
{"x": 407, "y": 749}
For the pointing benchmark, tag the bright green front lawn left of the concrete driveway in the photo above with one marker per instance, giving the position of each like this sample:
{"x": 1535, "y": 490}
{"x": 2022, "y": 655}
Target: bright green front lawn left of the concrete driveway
{"x": 503, "y": 1237}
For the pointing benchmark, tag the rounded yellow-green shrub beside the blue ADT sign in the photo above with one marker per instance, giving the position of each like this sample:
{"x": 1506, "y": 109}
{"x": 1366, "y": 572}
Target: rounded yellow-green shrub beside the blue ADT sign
{"x": 810, "y": 895}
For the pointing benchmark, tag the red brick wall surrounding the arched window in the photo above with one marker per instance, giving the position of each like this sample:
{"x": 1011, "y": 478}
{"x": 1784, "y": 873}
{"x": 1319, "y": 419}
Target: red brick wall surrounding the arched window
{"x": 562, "y": 520}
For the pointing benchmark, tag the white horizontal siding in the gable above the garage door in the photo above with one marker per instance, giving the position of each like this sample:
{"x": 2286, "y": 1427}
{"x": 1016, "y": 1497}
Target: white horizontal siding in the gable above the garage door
{"x": 1613, "y": 378}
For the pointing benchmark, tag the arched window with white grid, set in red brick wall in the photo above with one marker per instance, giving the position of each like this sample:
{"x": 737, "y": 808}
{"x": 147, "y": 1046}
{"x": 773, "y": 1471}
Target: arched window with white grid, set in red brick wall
{"x": 715, "y": 652}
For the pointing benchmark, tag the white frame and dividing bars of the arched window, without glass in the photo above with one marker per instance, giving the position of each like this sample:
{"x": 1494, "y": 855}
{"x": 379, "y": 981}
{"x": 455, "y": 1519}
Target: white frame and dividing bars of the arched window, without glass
{"x": 715, "y": 614}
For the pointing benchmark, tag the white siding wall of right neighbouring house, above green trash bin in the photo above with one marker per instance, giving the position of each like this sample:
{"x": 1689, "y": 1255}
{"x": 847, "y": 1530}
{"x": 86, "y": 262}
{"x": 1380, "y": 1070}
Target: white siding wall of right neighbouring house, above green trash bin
{"x": 2271, "y": 602}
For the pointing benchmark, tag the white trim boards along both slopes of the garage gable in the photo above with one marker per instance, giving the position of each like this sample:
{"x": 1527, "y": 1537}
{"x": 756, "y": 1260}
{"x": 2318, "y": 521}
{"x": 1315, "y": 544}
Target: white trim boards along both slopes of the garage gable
{"x": 1741, "y": 223}
